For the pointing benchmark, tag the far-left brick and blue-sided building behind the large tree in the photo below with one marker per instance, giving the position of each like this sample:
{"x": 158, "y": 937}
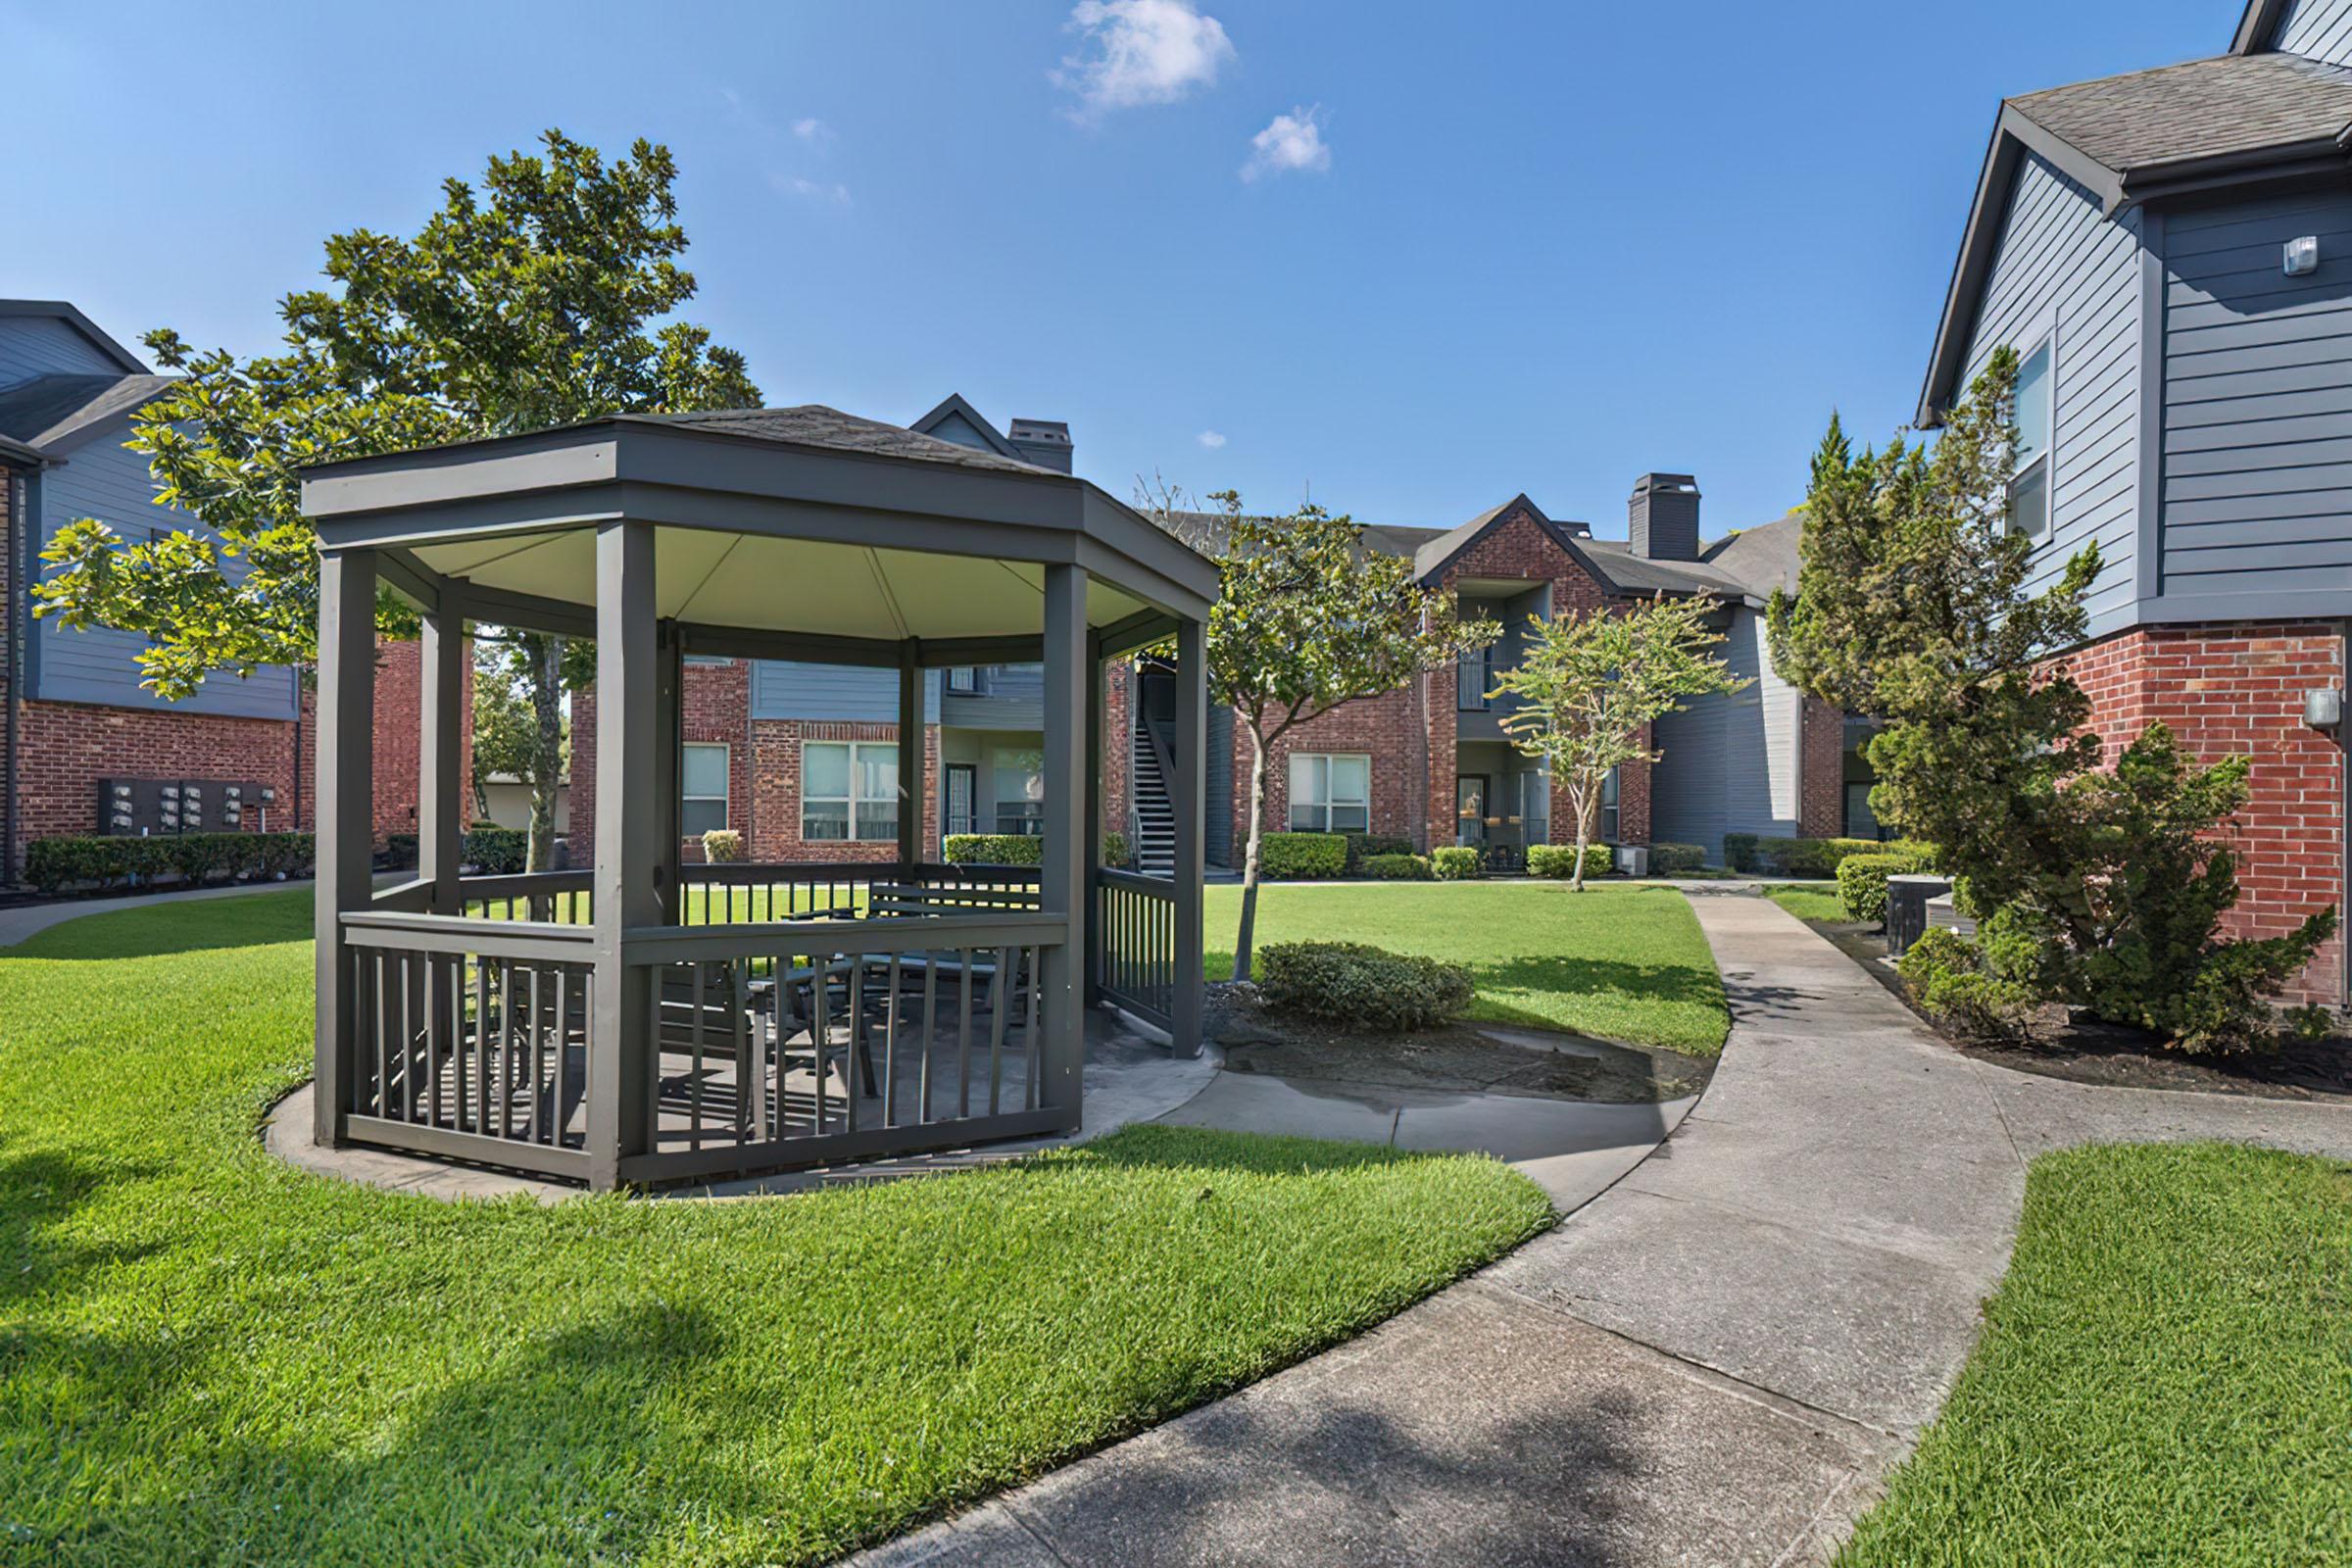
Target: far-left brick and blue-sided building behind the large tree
{"x": 72, "y": 702}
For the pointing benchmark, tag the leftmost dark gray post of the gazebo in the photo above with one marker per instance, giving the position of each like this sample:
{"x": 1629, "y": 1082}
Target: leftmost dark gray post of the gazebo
{"x": 347, "y": 819}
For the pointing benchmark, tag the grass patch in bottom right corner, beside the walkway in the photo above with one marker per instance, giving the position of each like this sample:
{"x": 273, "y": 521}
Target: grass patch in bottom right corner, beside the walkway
{"x": 2163, "y": 1376}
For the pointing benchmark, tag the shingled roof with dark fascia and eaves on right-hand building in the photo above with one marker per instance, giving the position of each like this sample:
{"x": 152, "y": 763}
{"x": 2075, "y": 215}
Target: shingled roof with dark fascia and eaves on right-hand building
{"x": 2141, "y": 138}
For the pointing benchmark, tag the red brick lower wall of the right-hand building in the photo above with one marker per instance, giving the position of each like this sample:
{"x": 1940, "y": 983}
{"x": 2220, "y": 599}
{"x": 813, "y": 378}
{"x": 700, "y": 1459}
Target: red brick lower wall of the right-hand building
{"x": 2238, "y": 690}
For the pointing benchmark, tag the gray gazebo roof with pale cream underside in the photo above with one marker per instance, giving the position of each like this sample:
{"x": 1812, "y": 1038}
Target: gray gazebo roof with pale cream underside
{"x": 768, "y": 521}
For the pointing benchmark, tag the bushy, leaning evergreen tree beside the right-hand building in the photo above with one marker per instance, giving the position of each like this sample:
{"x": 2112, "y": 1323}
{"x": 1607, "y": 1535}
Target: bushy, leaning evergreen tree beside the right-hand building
{"x": 2099, "y": 887}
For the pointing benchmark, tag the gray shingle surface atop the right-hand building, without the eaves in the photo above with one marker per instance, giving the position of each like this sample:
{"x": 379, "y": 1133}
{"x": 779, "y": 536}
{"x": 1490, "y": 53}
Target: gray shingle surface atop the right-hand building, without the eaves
{"x": 2203, "y": 109}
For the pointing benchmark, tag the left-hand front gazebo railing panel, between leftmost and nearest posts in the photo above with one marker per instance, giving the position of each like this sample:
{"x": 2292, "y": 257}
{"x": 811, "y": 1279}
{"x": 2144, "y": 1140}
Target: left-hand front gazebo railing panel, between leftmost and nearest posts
{"x": 472, "y": 1038}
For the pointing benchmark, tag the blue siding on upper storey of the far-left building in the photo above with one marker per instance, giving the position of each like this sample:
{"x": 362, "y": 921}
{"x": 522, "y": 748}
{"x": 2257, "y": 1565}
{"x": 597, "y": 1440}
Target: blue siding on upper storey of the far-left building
{"x": 112, "y": 483}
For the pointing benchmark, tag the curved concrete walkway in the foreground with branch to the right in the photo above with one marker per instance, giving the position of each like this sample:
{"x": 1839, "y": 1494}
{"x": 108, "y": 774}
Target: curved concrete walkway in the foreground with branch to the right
{"x": 1713, "y": 1362}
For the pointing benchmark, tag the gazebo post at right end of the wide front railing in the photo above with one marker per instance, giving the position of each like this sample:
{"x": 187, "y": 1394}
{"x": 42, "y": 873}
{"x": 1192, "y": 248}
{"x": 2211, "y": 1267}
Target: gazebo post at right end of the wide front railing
{"x": 1062, "y": 890}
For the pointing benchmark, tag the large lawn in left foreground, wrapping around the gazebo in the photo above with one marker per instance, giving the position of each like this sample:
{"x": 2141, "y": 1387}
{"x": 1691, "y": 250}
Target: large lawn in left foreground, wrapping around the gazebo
{"x": 208, "y": 1358}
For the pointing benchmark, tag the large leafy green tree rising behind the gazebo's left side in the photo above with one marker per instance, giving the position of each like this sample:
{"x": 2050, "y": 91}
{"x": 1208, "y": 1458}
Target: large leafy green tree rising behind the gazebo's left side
{"x": 519, "y": 307}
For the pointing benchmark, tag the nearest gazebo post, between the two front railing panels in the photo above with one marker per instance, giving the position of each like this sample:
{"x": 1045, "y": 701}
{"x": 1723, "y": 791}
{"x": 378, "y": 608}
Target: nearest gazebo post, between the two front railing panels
{"x": 629, "y": 855}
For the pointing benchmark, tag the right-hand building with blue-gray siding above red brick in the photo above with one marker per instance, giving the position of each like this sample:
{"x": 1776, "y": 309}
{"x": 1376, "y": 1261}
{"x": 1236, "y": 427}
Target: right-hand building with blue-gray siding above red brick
{"x": 2165, "y": 253}
